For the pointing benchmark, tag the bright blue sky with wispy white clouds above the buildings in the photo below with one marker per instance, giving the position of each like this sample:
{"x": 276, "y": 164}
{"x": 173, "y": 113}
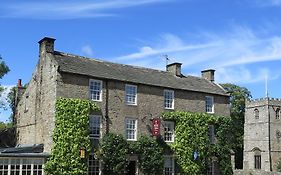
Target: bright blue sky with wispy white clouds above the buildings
{"x": 240, "y": 39}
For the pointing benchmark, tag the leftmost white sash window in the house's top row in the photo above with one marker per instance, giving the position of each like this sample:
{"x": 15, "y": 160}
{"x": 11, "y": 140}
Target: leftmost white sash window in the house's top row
{"x": 96, "y": 90}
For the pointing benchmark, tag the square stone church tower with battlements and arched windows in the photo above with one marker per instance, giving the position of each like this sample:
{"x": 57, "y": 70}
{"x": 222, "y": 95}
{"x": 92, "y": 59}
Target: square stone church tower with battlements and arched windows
{"x": 262, "y": 134}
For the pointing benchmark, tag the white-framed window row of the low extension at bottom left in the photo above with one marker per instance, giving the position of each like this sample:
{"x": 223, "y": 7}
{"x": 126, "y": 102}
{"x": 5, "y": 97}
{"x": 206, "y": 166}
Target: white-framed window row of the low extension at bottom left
{"x": 21, "y": 166}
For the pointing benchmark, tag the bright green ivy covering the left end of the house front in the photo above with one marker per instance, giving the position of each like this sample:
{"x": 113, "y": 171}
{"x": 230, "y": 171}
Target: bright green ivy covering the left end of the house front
{"x": 71, "y": 132}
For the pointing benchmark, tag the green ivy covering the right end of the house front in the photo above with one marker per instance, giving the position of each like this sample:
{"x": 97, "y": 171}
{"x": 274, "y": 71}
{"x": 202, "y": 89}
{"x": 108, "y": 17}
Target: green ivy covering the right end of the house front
{"x": 191, "y": 131}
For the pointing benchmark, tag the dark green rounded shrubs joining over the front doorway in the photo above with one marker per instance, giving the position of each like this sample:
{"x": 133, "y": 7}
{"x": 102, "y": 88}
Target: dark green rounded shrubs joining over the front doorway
{"x": 115, "y": 151}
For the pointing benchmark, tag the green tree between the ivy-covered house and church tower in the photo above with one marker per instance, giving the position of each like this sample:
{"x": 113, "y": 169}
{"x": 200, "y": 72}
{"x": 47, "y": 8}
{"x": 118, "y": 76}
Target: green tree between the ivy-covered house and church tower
{"x": 238, "y": 96}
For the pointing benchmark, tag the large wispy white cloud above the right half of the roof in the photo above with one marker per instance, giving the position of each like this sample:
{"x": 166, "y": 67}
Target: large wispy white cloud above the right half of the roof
{"x": 231, "y": 53}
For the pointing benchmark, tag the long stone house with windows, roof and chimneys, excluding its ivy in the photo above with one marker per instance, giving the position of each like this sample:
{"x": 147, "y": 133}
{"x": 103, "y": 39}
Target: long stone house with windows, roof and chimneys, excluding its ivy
{"x": 128, "y": 96}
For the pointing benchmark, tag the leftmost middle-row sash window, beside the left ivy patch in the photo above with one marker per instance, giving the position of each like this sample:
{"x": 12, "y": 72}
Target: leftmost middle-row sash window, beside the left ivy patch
{"x": 95, "y": 126}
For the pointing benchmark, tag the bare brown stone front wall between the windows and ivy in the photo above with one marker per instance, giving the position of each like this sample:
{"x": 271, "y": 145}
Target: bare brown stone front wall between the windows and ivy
{"x": 150, "y": 101}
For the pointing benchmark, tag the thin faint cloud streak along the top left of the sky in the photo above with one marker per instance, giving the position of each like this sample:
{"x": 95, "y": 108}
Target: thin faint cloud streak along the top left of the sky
{"x": 68, "y": 9}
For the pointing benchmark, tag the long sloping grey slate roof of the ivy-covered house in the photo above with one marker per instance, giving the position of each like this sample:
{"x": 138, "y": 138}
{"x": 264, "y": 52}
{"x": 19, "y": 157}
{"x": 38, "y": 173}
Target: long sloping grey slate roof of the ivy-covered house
{"x": 107, "y": 70}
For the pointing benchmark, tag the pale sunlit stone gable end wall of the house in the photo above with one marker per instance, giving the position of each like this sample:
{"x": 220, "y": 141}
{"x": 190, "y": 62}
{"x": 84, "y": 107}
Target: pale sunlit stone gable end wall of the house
{"x": 36, "y": 109}
